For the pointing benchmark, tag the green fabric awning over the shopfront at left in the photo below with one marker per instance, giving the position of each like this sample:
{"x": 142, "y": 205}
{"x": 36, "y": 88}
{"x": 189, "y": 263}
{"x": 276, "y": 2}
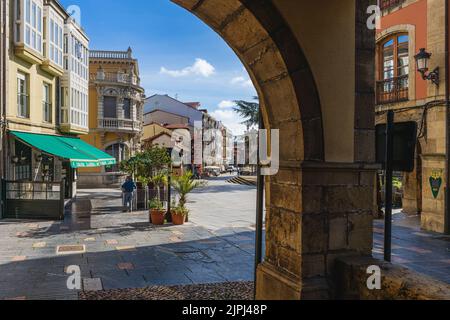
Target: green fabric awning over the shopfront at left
{"x": 79, "y": 153}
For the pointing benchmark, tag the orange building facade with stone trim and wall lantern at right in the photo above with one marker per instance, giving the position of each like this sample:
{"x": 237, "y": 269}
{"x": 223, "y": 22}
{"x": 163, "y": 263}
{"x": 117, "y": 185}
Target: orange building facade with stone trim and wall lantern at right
{"x": 406, "y": 27}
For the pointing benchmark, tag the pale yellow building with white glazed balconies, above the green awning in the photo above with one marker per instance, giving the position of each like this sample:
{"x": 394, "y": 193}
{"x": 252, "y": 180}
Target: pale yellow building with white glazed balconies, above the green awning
{"x": 44, "y": 48}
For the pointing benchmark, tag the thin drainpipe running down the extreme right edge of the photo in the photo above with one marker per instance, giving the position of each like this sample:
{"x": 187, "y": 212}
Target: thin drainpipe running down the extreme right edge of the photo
{"x": 447, "y": 129}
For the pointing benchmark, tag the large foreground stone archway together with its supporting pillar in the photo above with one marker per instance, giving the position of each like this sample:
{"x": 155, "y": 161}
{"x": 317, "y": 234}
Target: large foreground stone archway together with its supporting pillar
{"x": 317, "y": 211}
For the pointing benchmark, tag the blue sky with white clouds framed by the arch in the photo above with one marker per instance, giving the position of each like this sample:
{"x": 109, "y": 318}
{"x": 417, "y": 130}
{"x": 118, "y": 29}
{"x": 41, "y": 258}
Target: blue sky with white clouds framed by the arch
{"x": 178, "y": 54}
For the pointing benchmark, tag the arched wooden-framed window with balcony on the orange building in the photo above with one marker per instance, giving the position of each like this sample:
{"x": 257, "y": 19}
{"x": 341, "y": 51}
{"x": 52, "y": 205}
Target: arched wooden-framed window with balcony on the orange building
{"x": 393, "y": 73}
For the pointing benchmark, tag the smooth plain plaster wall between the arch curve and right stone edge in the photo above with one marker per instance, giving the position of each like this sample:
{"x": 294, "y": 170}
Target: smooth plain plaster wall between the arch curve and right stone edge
{"x": 326, "y": 31}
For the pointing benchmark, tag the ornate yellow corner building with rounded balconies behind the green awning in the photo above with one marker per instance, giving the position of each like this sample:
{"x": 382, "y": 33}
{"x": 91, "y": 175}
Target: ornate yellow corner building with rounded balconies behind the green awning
{"x": 116, "y": 102}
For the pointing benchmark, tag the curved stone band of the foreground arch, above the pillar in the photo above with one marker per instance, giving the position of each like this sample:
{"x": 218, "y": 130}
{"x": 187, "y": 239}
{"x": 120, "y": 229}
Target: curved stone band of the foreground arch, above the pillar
{"x": 264, "y": 43}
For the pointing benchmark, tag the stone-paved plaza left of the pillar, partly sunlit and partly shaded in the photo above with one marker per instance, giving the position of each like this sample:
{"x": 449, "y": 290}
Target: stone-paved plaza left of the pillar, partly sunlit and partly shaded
{"x": 122, "y": 250}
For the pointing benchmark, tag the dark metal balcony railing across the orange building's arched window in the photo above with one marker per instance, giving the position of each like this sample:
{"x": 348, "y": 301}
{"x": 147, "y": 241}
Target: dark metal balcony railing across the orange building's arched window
{"x": 392, "y": 90}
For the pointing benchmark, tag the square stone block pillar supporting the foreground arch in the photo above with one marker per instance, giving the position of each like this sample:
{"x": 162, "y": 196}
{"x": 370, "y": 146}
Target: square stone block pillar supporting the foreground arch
{"x": 317, "y": 212}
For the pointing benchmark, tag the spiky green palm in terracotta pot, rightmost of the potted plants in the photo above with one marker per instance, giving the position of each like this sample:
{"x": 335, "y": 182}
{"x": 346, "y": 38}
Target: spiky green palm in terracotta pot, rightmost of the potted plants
{"x": 184, "y": 185}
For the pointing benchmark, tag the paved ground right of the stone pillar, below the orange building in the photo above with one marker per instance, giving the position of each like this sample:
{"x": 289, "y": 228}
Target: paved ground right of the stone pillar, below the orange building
{"x": 424, "y": 252}
